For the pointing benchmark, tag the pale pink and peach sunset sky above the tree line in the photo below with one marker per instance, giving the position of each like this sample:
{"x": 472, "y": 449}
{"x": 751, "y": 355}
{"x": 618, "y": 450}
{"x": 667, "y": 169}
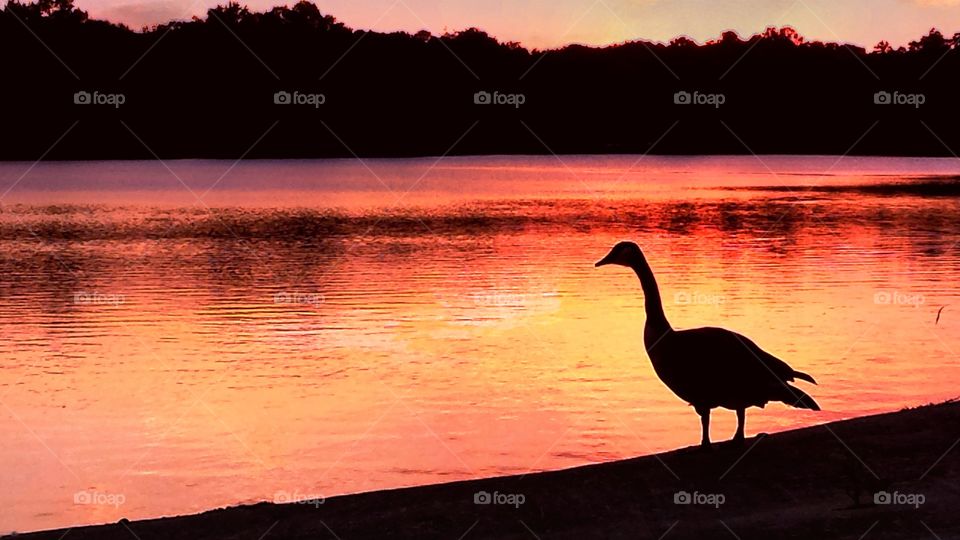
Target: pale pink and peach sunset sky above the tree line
{"x": 552, "y": 23}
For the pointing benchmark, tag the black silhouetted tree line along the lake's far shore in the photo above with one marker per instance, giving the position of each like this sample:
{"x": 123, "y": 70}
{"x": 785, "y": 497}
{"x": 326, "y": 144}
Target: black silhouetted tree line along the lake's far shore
{"x": 206, "y": 88}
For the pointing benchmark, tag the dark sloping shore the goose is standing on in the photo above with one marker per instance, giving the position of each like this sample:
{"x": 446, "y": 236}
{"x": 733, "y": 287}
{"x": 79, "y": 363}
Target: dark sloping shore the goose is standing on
{"x": 818, "y": 482}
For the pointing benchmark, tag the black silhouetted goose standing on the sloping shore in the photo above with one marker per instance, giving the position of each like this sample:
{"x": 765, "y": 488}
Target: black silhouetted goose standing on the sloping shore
{"x": 709, "y": 367}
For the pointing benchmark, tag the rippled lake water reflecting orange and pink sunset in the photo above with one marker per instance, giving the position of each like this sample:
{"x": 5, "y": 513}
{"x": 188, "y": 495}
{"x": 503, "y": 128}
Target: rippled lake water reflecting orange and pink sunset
{"x": 191, "y": 334}
